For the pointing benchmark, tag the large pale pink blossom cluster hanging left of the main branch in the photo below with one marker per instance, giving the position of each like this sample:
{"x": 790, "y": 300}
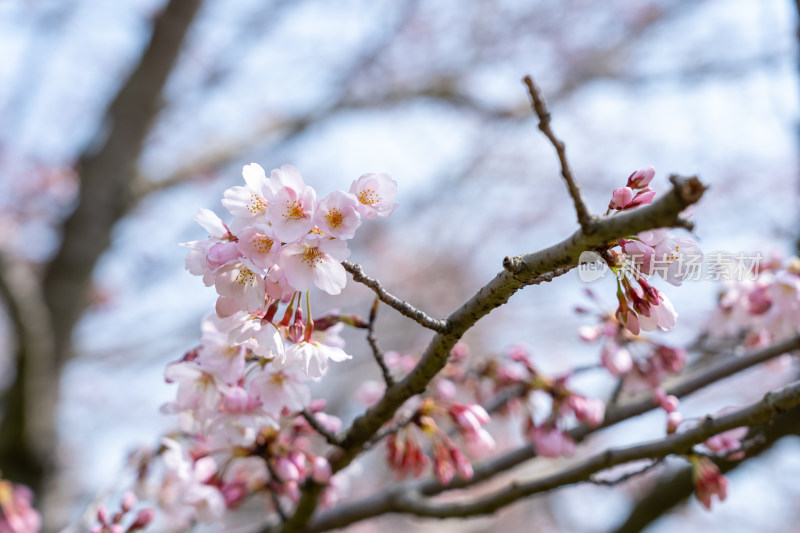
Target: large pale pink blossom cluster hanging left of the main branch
{"x": 243, "y": 397}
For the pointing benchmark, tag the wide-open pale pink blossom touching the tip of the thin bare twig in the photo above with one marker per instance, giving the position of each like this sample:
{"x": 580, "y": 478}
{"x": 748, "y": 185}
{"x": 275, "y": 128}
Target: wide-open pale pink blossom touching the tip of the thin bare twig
{"x": 315, "y": 259}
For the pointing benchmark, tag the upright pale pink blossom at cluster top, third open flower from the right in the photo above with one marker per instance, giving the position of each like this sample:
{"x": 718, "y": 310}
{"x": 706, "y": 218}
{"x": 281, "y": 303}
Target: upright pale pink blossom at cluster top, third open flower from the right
{"x": 291, "y": 213}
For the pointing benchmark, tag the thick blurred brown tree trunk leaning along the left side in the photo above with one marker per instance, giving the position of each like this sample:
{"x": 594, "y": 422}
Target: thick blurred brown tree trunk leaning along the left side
{"x": 107, "y": 169}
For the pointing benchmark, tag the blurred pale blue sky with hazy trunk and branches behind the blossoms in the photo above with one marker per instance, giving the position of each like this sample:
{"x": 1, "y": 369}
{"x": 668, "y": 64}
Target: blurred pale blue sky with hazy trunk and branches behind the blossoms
{"x": 133, "y": 114}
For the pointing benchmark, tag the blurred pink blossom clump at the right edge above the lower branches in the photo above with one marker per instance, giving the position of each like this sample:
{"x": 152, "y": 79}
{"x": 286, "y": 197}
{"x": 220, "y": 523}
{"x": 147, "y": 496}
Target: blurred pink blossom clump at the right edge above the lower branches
{"x": 764, "y": 307}
